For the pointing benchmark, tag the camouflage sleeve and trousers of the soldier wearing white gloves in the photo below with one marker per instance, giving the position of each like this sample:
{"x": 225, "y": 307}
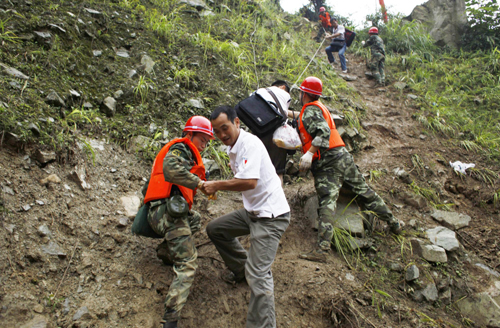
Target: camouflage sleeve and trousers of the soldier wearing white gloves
{"x": 334, "y": 168}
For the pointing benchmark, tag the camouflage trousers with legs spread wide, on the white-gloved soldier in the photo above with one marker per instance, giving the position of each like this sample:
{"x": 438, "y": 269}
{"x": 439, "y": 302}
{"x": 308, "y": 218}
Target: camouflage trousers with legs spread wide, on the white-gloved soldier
{"x": 337, "y": 169}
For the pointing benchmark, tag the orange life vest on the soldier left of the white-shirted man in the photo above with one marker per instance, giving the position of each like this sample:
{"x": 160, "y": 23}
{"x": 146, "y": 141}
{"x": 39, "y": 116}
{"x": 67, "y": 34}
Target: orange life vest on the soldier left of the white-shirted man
{"x": 159, "y": 188}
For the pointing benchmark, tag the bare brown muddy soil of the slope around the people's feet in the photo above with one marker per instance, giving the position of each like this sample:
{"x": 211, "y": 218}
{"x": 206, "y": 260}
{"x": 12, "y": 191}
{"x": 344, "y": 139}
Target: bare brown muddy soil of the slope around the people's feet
{"x": 106, "y": 277}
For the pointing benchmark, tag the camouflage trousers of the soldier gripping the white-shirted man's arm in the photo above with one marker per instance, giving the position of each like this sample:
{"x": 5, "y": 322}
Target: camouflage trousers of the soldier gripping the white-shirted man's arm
{"x": 182, "y": 252}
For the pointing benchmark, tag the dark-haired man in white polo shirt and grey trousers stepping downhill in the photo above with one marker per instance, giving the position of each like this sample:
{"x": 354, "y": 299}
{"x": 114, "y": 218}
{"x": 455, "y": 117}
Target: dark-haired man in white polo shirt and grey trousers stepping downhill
{"x": 265, "y": 215}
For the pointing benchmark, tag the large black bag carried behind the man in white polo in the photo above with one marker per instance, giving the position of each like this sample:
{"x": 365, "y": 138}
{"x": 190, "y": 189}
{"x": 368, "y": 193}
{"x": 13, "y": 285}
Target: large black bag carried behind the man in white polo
{"x": 261, "y": 117}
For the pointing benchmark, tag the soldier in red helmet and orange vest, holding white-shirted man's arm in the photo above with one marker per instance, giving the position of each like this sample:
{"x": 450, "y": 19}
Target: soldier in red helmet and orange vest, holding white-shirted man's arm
{"x": 177, "y": 173}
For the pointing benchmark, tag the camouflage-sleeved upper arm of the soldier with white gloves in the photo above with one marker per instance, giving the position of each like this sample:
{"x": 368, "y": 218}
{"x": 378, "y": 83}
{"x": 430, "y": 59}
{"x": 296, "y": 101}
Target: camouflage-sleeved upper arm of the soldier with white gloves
{"x": 315, "y": 124}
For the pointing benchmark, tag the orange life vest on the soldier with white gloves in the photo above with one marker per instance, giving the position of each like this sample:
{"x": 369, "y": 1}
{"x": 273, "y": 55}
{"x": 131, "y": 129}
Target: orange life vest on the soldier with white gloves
{"x": 335, "y": 139}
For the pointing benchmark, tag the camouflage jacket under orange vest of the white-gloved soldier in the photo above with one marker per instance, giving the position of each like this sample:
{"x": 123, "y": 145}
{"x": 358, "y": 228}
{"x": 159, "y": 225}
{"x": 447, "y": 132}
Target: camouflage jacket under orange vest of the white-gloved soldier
{"x": 316, "y": 125}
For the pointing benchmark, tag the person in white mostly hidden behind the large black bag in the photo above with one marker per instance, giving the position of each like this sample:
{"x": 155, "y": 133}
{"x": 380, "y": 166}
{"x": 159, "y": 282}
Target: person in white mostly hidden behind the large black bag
{"x": 282, "y": 92}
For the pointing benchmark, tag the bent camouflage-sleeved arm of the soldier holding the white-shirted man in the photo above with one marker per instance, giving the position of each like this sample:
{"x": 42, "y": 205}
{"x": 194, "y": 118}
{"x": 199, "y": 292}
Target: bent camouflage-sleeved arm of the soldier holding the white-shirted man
{"x": 176, "y": 166}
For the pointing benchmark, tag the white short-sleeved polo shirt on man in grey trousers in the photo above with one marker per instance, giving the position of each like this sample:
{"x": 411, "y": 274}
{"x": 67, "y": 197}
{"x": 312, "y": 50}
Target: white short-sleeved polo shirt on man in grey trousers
{"x": 249, "y": 160}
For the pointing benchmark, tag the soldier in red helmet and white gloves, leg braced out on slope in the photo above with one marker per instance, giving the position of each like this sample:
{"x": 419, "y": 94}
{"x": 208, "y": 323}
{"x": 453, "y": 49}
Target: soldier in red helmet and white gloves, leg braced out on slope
{"x": 331, "y": 165}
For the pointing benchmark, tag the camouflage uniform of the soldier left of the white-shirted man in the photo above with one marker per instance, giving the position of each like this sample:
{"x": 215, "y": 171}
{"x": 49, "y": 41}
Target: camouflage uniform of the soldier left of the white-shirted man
{"x": 179, "y": 247}
